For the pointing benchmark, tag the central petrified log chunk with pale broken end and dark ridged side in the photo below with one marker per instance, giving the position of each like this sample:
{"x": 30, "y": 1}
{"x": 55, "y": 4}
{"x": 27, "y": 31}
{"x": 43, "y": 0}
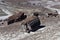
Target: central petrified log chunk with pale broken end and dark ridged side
{"x": 31, "y": 22}
